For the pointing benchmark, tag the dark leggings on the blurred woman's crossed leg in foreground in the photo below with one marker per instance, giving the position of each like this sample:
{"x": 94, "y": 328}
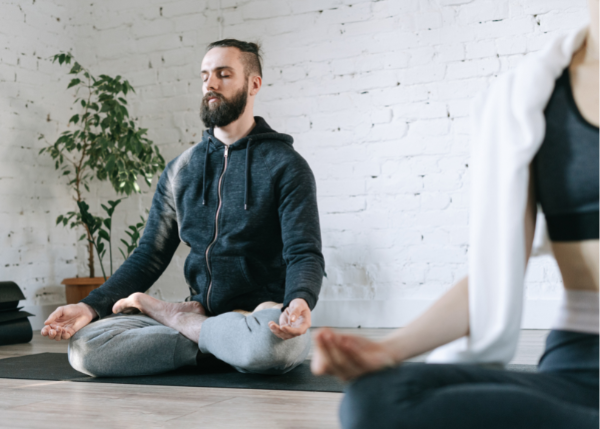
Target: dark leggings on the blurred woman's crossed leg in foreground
{"x": 564, "y": 394}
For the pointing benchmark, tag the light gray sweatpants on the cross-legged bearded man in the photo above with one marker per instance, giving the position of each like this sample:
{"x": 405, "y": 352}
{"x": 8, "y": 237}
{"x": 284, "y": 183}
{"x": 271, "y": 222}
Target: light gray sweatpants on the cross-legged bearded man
{"x": 139, "y": 345}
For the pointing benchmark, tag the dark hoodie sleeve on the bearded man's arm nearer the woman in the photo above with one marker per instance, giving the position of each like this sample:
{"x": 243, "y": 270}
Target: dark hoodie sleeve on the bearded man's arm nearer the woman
{"x": 301, "y": 234}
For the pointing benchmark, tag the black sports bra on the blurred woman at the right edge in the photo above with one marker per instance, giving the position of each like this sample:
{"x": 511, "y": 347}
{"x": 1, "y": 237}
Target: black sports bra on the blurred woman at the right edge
{"x": 566, "y": 168}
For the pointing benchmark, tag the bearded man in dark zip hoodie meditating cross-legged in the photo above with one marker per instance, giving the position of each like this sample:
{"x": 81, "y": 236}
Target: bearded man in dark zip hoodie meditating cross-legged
{"x": 245, "y": 203}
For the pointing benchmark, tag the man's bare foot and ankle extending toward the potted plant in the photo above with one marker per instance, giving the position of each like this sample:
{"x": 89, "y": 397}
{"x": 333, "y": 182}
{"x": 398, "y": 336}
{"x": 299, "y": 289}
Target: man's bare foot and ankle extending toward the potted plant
{"x": 185, "y": 317}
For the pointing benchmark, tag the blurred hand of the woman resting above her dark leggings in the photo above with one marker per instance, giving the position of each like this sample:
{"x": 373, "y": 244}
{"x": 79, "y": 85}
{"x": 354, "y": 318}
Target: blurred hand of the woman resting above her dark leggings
{"x": 348, "y": 356}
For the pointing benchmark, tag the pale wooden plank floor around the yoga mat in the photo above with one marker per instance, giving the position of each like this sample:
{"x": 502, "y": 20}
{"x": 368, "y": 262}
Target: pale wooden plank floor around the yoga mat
{"x": 36, "y": 404}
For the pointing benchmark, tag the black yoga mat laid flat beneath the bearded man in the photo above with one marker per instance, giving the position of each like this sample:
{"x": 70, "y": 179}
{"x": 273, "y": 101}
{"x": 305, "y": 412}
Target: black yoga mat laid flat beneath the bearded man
{"x": 210, "y": 373}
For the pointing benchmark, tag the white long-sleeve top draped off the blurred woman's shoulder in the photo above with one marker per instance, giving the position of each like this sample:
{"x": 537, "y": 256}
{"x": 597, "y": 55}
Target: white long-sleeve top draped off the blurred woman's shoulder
{"x": 508, "y": 128}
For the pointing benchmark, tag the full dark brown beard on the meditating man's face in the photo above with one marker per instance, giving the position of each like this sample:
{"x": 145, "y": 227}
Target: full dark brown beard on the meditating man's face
{"x": 223, "y": 112}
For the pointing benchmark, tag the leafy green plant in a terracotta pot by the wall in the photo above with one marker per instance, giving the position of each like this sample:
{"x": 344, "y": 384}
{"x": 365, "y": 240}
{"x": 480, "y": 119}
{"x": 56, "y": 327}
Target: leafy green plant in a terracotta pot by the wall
{"x": 105, "y": 144}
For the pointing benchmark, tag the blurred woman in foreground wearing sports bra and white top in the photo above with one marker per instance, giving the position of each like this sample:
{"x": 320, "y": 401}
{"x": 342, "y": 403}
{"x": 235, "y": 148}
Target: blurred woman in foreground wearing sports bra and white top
{"x": 535, "y": 141}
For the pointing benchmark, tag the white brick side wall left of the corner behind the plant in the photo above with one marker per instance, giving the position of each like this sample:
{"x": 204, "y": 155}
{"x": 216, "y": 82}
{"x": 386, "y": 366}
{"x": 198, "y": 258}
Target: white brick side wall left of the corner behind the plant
{"x": 33, "y": 252}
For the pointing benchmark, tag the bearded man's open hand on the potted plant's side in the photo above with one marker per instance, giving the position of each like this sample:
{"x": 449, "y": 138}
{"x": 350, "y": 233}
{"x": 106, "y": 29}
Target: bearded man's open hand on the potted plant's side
{"x": 66, "y": 320}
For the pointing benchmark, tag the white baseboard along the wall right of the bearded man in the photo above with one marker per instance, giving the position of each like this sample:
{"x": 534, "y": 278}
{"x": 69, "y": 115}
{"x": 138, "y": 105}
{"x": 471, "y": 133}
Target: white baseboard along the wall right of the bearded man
{"x": 538, "y": 314}
